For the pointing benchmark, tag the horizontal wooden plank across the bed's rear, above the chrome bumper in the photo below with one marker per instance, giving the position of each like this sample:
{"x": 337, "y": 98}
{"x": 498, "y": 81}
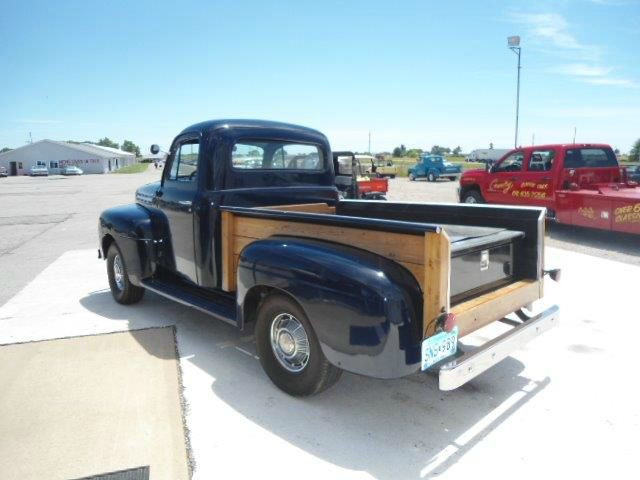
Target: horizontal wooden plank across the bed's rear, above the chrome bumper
{"x": 480, "y": 311}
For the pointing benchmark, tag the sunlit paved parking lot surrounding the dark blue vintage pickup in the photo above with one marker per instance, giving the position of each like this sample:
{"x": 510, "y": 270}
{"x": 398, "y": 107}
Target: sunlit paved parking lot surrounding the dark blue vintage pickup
{"x": 564, "y": 406}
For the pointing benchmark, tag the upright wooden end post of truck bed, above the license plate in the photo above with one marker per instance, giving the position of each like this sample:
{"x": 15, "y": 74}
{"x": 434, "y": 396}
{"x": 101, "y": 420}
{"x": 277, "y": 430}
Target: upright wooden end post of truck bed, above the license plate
{"x": 437, "y": 275}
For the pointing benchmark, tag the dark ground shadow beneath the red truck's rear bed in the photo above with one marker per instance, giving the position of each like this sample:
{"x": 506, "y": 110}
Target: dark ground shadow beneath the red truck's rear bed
{"x": 600, "y": 242}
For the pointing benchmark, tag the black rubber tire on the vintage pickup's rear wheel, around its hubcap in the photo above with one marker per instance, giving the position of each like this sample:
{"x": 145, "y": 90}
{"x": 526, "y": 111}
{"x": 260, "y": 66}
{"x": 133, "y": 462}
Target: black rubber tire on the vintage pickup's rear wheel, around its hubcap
{"x": 316, "y": 375}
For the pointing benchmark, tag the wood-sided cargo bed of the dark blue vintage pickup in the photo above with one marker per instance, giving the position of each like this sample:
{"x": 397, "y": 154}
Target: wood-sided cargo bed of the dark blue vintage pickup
{"x": 437, "y": 254}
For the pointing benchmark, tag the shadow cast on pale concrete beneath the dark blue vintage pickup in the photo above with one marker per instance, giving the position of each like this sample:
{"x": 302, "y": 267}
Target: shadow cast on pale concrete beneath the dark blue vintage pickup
{"x": 404, "y": 428}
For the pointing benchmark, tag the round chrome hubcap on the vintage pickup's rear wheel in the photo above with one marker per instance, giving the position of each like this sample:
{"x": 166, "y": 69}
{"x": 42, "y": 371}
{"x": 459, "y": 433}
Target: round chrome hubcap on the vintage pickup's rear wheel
{"x": 289, "y": 342}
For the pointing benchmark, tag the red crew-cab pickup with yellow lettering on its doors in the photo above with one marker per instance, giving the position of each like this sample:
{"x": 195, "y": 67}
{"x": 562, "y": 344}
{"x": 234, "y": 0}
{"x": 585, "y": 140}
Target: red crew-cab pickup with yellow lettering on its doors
{"x": 579, "y": 184}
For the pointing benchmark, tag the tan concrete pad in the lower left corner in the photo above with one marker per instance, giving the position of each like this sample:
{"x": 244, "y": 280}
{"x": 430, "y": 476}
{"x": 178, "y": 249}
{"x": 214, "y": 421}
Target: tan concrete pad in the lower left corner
{"x": 83, "y": 406}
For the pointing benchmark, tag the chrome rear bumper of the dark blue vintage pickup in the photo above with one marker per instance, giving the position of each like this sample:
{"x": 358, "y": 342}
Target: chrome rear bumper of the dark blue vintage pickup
{"x": 459, "y": 371}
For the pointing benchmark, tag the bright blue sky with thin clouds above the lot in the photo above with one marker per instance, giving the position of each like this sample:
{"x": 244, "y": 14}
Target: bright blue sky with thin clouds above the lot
{"x": 413, "y": 72}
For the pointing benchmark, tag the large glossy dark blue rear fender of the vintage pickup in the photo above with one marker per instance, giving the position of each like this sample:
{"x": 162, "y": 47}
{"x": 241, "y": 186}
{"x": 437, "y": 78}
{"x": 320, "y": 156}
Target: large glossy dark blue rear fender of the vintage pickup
{"x": 365, "y": 309}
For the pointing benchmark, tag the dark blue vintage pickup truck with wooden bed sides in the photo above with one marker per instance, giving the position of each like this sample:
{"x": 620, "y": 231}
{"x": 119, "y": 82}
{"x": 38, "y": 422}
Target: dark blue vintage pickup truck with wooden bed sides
{"x": 246, "y": 225}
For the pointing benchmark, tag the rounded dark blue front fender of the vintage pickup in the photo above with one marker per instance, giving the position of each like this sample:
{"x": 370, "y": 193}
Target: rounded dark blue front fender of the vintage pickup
{"x": 136, "y": 233}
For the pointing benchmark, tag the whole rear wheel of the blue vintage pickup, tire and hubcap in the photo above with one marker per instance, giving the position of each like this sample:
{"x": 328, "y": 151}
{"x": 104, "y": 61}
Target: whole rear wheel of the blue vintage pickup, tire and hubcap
{"x": 289, "y": 349}
